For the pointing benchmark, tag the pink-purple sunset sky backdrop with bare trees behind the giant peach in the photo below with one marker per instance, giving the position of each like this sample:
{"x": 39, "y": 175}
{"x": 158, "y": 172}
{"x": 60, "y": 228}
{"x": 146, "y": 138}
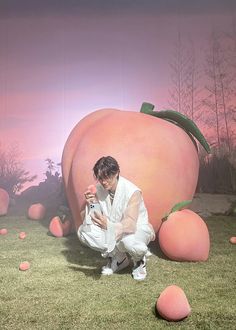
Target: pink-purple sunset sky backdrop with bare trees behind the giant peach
{"x": 63, "y": 59}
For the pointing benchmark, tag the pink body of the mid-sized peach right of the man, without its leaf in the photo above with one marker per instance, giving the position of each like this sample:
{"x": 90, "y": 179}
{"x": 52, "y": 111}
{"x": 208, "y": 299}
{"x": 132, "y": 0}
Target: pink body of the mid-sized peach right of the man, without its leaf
{"x": 184, "y": 236}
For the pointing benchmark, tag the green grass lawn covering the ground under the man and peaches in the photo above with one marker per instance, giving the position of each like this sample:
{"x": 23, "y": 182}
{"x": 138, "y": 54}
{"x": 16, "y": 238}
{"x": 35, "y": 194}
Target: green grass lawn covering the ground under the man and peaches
{"x": 63, "y": 288}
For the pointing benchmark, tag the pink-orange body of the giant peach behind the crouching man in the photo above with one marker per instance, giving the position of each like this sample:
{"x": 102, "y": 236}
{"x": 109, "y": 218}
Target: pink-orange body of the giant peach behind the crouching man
{"x": 156, "y": 155}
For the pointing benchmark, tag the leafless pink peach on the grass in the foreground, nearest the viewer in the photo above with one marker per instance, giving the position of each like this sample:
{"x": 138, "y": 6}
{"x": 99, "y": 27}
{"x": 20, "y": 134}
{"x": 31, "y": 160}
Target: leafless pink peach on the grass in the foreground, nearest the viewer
{"x": 173, "y": 304}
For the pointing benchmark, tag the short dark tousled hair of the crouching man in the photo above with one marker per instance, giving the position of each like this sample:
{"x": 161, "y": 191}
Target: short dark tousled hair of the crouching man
{"x": 106, "y": 167}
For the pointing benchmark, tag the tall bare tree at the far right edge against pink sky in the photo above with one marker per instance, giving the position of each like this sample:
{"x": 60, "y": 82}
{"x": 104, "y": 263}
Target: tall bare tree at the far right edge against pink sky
{"x": 221, "y": 97}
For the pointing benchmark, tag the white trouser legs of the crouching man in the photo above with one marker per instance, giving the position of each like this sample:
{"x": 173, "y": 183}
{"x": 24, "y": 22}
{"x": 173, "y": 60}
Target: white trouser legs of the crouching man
{"x": 133, "y": 244}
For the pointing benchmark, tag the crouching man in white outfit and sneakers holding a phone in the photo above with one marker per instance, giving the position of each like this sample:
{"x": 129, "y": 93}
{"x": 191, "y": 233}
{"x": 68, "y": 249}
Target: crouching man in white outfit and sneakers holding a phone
{"x": 120, "y": 225}
